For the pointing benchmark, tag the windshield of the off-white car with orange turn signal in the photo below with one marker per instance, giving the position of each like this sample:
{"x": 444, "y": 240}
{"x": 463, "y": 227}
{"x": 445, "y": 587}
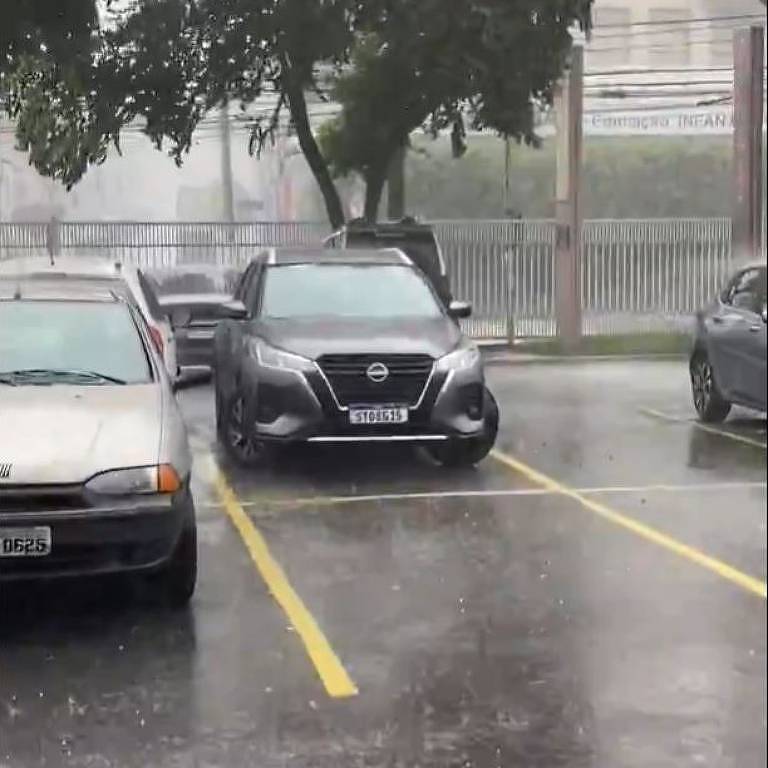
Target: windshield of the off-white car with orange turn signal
{"x": 70, "y": 342}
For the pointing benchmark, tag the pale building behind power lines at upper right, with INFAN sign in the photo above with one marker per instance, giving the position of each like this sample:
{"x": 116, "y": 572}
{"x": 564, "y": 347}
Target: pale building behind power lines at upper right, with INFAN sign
{"x": 663, "y": 67}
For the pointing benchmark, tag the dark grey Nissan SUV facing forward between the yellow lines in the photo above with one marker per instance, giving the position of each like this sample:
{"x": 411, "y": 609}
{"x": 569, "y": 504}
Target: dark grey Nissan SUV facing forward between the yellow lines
{"x": 347, "y": 346}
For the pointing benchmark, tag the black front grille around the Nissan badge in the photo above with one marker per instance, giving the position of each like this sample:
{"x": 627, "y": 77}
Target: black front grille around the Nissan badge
{"x": 408, "y": 376}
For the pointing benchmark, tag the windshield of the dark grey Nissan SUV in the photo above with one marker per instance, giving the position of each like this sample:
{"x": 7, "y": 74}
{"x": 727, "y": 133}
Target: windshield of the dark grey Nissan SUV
{"x": 344, "y": 290}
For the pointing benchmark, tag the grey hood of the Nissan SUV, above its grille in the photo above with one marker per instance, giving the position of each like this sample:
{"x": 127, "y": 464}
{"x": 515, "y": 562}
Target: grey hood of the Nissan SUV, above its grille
{"x": 314, "y": 337}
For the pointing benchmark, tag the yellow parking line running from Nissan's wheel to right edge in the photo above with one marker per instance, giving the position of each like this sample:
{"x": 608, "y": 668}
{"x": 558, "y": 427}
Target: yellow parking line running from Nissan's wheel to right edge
{"x": 712, "y": 564}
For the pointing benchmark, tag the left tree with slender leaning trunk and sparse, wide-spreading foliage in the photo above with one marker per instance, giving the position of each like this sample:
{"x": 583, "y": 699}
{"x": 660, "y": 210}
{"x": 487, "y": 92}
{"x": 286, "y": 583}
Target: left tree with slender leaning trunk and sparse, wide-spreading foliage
{"x": 169, "y": 62}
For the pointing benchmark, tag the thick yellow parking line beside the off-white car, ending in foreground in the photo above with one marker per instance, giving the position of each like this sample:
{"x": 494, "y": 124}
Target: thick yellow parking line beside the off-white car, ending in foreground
{"x": 335, "y": 678}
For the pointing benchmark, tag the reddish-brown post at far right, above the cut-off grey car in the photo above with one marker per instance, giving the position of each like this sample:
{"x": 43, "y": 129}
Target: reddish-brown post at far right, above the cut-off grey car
{"x": 747, "y": 141}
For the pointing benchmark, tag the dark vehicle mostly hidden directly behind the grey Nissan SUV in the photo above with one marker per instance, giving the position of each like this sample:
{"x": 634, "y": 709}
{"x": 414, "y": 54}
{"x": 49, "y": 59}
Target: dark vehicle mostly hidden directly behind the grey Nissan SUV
{"x": 417, "y": 241}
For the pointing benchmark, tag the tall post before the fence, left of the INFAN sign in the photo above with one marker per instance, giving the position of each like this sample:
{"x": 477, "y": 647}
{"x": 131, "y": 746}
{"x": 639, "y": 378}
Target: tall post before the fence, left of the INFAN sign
{"x": 569, "y": 100}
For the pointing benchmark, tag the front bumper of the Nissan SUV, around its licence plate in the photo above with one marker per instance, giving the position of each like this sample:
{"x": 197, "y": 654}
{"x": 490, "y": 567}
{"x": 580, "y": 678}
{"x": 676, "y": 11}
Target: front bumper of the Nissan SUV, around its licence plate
{"x": 292, "y": 406}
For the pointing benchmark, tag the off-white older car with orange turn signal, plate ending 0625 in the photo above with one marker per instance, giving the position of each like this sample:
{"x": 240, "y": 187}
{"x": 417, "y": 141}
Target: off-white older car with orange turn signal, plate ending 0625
{"x": 95, "y": 464}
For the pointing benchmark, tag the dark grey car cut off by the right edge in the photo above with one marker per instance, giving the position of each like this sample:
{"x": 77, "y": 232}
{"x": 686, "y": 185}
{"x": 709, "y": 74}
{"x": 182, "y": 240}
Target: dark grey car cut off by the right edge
{"x": 728, "y": 363}
